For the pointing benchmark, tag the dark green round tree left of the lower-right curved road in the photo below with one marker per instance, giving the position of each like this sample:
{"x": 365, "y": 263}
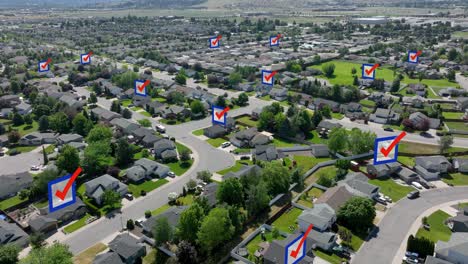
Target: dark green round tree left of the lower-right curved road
{"x": 357, "y": 214}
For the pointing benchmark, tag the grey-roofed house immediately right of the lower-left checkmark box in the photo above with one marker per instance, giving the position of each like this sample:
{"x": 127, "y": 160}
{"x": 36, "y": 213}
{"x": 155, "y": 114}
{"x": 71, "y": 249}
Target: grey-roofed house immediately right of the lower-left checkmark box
{"x": 95, "y": 188}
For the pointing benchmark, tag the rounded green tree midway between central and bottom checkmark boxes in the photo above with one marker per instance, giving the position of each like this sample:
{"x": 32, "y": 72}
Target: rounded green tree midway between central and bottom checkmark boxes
{"x": 276, "y": 177}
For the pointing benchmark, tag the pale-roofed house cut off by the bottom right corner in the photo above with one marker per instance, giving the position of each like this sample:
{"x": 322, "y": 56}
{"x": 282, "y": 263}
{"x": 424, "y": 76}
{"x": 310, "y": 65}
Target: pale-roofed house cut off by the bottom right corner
{"x": 455, "y": 250}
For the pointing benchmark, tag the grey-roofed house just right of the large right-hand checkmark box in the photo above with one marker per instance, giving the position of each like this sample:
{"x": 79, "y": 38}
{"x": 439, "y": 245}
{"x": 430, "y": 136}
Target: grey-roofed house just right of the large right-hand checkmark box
{"x": 431, "y": 167}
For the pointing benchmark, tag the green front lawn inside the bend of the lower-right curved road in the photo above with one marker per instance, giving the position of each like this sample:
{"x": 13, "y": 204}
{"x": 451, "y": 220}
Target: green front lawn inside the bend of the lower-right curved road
{"x": 438, "y": 230}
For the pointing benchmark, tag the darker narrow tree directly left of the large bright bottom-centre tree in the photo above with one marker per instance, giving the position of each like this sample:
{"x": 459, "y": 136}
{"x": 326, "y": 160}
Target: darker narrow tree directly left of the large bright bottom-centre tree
{"x": 190, "y": 221}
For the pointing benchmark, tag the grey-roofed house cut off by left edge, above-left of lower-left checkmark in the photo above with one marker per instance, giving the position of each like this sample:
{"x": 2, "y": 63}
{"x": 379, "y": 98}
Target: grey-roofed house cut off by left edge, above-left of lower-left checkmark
{"x": 13, "y": 183}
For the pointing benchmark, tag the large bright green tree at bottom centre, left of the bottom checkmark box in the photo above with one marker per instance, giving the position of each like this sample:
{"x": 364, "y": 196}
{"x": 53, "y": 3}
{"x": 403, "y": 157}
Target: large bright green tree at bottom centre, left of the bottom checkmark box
{"x": 215, "y": 229}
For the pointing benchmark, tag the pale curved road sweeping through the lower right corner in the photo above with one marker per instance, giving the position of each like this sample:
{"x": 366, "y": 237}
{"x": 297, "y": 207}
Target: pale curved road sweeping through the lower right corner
{"x": 394, "y": 227}
